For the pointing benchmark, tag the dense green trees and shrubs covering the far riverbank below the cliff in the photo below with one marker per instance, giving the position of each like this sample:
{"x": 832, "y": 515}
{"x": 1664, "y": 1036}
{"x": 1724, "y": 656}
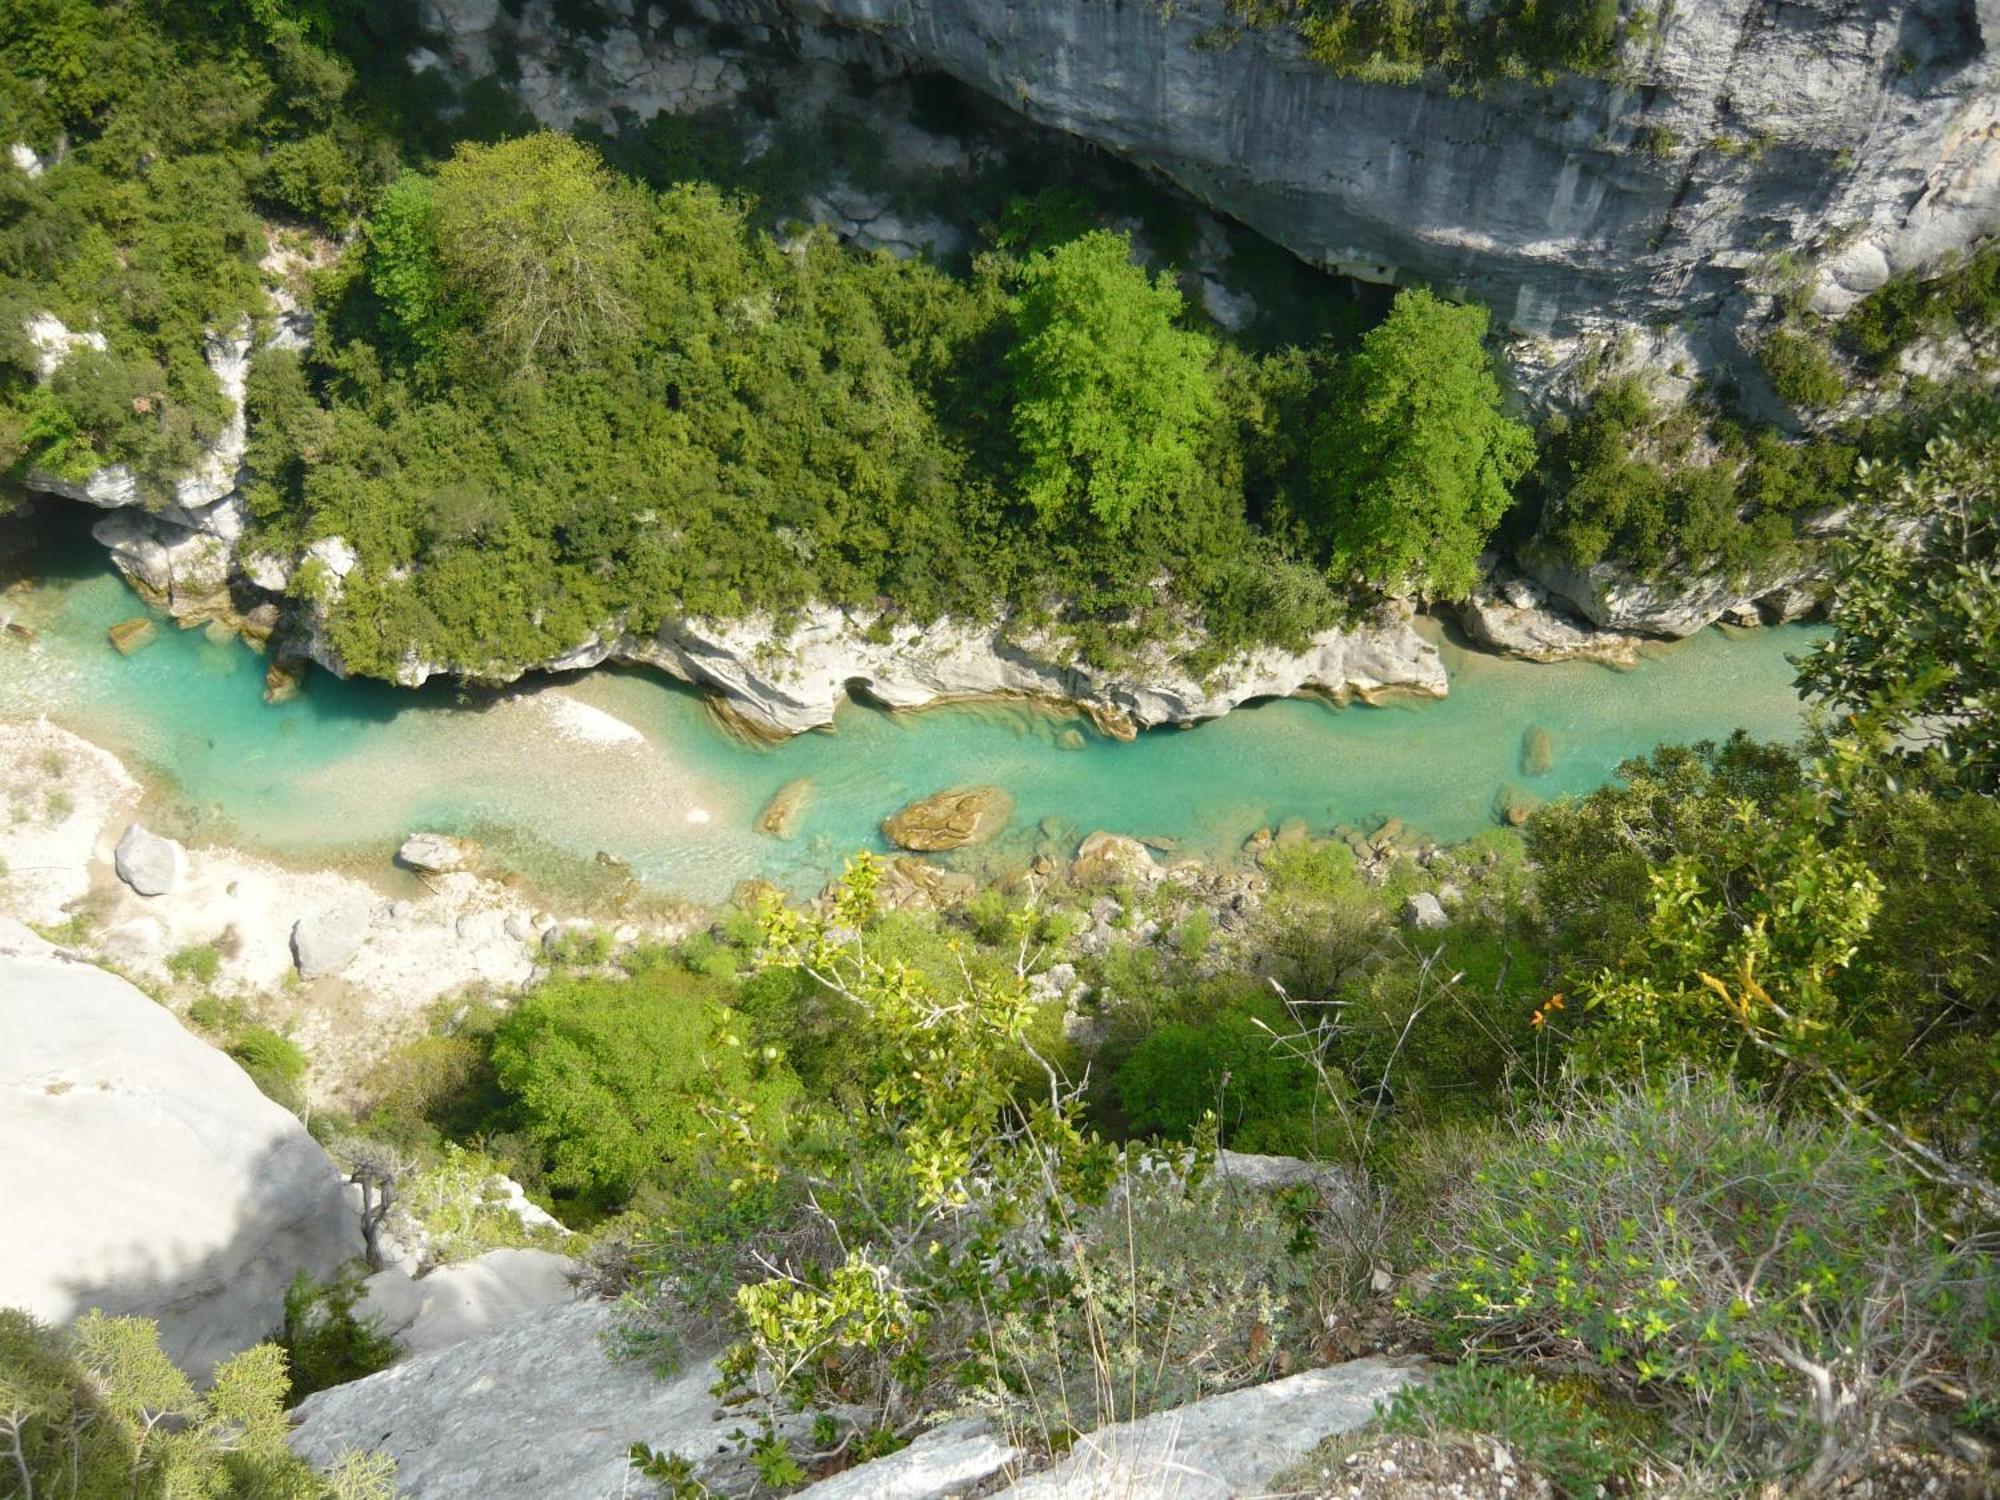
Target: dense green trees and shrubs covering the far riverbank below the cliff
{"x": 559, "y": 385}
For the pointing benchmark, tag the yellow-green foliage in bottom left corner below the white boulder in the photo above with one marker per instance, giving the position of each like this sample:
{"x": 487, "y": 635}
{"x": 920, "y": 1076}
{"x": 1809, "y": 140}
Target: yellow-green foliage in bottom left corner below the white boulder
{"x": 99, "y": 1413}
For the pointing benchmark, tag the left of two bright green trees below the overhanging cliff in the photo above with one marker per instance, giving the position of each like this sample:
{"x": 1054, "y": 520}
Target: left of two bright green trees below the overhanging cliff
{"x": 1109, "y": 395}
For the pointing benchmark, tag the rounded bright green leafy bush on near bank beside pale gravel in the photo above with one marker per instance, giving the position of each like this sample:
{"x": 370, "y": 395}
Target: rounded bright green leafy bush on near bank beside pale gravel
{"x": 617, "y": 1081}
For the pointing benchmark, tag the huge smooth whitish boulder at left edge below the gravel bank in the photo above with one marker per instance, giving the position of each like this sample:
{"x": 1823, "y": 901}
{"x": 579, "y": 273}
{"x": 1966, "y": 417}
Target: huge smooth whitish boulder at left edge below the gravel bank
{"x": 145, "y": 1169}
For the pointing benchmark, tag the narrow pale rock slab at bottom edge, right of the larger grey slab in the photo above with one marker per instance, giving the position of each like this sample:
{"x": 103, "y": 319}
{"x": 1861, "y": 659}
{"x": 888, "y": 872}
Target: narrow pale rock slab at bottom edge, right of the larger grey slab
{"x": 1223, "y": 1447}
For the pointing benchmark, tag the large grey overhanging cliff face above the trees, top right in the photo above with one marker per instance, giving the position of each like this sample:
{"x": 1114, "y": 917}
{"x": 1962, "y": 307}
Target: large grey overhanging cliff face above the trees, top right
{"x": 1565, "y": 207}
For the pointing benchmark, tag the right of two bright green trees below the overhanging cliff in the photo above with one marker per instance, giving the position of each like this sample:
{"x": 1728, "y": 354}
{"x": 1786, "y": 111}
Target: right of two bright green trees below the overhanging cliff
{"x": 1415, "y": 459}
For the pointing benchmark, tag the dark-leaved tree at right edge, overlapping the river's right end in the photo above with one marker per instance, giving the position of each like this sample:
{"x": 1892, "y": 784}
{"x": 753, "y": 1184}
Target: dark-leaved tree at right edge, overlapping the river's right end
{"x": 1913, "y": 667}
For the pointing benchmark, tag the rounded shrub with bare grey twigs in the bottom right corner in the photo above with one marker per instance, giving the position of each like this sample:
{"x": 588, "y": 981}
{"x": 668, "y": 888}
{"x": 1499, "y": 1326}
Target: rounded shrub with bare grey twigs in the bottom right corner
{"x": 1739, "y": 1269}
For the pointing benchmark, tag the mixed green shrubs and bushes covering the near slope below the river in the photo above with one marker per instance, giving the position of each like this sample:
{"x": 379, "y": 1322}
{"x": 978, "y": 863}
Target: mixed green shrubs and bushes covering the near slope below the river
{"x": 1663, "y": 1123}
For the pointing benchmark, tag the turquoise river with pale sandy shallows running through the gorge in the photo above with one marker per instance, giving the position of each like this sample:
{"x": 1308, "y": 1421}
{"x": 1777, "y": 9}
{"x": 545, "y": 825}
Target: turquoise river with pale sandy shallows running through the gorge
{"x": 631, "y": 765}
